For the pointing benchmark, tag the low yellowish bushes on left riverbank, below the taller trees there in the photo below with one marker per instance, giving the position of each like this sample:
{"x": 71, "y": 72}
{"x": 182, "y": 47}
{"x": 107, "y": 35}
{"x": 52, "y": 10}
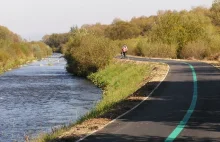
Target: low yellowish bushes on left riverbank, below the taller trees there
{"x": 16, "y": 54}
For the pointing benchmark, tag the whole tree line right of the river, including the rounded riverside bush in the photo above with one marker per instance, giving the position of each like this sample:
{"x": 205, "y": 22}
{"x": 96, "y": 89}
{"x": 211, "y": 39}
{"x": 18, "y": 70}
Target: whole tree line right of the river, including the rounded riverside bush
{"x": 171, "y": 34}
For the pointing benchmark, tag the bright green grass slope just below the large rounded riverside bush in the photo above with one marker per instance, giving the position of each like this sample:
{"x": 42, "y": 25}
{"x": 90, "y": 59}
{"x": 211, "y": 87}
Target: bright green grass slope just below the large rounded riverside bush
{"x": 118, "y": 80}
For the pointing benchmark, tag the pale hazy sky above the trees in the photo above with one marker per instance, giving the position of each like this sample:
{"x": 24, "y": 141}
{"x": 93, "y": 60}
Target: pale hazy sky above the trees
{"x": 32, "y": 19}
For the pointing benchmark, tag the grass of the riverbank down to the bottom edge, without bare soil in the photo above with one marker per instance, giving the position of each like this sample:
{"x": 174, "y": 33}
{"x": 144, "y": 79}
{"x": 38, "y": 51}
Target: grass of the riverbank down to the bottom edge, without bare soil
{"x": 118, "y": 80}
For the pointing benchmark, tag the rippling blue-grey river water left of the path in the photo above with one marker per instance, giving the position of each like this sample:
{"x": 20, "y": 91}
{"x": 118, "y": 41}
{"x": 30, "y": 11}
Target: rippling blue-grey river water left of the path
{"x": 40, "y": 96}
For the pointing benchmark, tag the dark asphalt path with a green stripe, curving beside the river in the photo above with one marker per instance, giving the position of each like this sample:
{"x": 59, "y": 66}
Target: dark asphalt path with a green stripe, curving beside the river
{"x": 159, "y": 116}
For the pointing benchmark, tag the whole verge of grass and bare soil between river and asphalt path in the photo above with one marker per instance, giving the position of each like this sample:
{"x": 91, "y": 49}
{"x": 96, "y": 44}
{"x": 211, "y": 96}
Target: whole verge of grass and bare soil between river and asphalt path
{"x": 124, "y": 84}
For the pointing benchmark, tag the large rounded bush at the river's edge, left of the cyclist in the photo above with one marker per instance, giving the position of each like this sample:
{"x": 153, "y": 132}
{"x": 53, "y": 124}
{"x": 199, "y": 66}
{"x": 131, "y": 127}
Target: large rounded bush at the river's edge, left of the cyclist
{"x": 88, "y": 53}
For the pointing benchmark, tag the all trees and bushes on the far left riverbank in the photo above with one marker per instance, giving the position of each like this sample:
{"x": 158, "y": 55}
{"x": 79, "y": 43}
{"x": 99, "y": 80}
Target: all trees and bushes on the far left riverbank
{"x": 14, "y": 51}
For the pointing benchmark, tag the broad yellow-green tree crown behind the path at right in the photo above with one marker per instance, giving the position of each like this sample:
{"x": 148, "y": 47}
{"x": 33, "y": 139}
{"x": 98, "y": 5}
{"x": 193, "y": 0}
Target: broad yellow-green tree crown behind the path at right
{"x": 180, "y": 28}
